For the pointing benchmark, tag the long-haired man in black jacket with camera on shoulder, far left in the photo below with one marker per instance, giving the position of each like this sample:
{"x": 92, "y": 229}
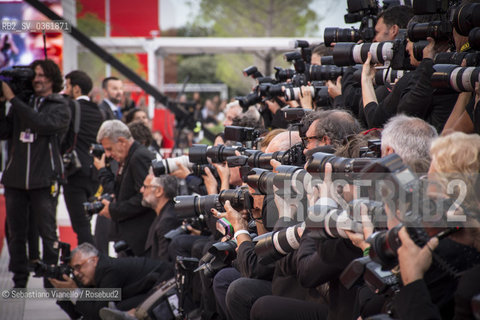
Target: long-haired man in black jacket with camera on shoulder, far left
{"x": 34, "y": 170}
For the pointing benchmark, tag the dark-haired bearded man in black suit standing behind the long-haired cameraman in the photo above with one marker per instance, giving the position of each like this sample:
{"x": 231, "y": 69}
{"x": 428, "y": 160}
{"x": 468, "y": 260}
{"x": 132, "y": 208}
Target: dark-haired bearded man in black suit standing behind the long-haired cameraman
{"x": 82, "y": 184}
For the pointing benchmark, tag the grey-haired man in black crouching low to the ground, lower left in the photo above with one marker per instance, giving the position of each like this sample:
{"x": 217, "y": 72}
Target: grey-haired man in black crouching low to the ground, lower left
{"x": 134, "y": 276}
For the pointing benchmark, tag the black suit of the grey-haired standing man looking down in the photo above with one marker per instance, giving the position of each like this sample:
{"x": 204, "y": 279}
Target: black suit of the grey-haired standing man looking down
{"x": 132, "y": 219}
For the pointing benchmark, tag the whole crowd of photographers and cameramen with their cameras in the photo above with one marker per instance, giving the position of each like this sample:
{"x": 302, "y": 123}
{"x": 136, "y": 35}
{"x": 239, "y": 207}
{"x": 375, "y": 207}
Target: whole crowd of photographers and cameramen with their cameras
{"x": 352, "y": 199}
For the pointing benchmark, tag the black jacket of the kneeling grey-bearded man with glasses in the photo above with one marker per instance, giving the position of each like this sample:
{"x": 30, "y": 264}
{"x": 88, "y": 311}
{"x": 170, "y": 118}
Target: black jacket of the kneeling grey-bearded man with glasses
{"x": 156, "y": 246}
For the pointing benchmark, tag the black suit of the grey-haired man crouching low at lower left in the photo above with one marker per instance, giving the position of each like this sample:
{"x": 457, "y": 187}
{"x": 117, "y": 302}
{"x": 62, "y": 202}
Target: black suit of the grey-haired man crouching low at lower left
{"x": 134, "y": 276}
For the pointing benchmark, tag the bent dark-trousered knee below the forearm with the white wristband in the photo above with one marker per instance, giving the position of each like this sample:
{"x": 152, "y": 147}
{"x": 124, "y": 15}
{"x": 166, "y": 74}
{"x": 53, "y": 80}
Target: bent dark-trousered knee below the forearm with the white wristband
{"x": 242, "y": 294}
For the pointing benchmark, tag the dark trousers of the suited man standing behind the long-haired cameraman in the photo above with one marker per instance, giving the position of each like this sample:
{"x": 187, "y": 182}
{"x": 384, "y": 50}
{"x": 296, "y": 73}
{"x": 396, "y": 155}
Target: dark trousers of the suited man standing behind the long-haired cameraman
{"x": 76, "y": 192}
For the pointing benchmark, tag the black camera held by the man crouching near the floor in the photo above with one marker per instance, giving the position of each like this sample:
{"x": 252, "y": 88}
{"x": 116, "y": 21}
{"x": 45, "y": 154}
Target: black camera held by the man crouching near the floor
{"x": 56, "y": 271}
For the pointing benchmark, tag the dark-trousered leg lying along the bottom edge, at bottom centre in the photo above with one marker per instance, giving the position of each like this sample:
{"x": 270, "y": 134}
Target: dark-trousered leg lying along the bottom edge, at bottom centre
{"x": 273, "y": 308}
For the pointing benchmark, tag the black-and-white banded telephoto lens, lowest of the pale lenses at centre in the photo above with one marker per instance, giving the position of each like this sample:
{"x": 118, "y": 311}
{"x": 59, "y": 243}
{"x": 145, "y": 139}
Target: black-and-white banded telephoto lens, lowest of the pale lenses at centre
{"x": 274, "y": 245}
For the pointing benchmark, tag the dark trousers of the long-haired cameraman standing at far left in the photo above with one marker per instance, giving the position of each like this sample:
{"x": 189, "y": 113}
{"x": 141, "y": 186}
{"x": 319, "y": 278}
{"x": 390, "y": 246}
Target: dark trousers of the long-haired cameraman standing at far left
{"x": 43, "y": 210}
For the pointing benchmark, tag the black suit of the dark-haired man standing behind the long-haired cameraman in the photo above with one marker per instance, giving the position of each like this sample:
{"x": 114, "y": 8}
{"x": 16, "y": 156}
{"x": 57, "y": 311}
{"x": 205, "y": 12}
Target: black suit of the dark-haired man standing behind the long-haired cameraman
{"x": 82, "y": 184}
